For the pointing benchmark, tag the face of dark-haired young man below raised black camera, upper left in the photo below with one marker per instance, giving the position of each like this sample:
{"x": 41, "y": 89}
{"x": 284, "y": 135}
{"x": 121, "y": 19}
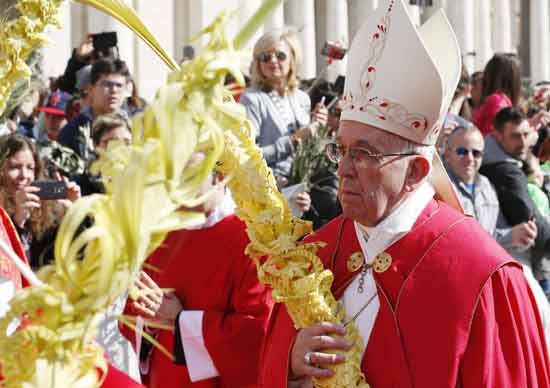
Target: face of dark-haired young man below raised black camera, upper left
{"x": 107, "y": 94}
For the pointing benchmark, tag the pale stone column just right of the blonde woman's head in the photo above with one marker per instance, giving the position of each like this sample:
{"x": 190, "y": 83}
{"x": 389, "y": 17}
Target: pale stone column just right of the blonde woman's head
{"x": 301, "y": 14}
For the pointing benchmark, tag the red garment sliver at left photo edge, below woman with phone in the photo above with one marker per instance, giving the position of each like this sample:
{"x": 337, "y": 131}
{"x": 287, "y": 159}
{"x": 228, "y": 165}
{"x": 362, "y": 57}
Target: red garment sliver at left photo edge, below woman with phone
{"x": 10, "y": 236}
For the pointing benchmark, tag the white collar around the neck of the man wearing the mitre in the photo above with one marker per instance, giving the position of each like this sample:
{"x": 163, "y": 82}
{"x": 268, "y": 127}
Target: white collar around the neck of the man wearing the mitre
{"x": 375, "y": 240}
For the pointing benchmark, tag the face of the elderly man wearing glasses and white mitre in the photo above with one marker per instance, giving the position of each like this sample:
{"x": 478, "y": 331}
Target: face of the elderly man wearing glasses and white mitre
{"x": 368, "y": 193}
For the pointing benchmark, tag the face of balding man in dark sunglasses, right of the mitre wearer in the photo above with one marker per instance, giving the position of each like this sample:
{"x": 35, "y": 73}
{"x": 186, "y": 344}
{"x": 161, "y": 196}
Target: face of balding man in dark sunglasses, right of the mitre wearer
{"x": 464, "y": 154}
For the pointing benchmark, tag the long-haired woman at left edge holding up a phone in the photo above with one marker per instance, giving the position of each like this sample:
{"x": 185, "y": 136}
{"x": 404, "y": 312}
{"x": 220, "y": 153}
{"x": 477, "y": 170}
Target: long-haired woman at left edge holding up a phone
{"x": 36, "y": 219}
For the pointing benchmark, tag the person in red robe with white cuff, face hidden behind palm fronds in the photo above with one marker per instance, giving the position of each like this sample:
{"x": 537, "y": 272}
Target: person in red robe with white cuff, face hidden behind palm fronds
{"x": 222, "y": 309}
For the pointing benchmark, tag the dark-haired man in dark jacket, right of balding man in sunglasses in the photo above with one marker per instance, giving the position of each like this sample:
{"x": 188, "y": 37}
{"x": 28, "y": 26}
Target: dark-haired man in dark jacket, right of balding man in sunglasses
{"x": 505, "y": 151}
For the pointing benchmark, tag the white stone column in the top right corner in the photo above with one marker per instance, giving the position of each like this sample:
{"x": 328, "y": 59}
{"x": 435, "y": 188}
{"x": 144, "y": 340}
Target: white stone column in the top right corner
{"x": 539, "y": 39}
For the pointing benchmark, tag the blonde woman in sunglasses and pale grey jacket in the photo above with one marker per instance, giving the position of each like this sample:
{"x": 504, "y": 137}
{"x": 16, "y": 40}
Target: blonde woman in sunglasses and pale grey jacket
{"x": 280, "y": 113}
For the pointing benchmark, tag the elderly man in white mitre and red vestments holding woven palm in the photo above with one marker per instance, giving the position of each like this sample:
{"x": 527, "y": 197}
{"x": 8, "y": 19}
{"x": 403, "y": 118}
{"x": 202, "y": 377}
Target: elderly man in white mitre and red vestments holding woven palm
{"x": 437, "y": 302}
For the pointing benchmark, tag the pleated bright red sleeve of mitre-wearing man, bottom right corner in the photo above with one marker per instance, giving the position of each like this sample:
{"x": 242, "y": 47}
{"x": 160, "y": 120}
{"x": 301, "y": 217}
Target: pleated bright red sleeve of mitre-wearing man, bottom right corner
{"x": 506, "y": 347}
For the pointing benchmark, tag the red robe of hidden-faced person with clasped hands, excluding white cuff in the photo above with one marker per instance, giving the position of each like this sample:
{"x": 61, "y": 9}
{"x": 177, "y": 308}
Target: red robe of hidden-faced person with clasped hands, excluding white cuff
{"x": 210, "y": 272}
